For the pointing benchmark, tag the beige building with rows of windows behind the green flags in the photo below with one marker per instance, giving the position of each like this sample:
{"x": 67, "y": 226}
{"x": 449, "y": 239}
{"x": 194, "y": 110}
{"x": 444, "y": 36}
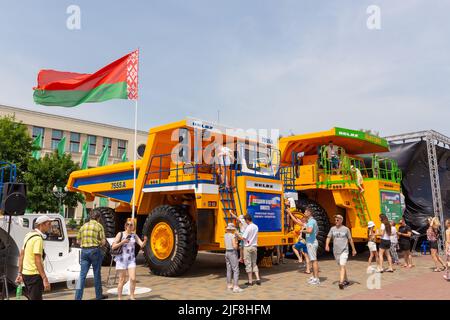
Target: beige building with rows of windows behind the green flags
{"x": 76, "y": 132}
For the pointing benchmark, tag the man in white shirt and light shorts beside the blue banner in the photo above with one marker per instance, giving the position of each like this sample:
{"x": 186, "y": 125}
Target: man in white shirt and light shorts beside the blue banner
{"x": 250, "y": 237}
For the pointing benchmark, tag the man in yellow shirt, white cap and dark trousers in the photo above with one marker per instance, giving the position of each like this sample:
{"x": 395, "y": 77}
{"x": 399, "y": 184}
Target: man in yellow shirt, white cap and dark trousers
{"x": 31, "y": 266}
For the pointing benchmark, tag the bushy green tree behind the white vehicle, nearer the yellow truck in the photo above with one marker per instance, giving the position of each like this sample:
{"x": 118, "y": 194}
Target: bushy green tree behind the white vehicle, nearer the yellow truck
{"x": 45, "y": 173}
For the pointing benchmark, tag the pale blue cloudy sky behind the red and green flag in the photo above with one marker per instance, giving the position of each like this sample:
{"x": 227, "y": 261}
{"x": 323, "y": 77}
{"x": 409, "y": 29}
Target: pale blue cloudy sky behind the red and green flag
{"x": 299, "y": 66}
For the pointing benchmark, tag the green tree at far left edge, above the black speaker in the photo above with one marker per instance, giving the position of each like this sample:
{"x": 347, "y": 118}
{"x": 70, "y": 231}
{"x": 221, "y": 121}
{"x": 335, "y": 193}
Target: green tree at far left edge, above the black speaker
{"x": 16, "y": 145}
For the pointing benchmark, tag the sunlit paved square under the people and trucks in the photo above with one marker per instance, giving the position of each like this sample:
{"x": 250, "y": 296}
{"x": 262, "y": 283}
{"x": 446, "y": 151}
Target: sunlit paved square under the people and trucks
{"x": 206, "y": 280}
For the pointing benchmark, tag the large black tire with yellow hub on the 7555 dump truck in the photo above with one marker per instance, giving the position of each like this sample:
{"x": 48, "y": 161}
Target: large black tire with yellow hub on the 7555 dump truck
{"x": 171, "y": 248}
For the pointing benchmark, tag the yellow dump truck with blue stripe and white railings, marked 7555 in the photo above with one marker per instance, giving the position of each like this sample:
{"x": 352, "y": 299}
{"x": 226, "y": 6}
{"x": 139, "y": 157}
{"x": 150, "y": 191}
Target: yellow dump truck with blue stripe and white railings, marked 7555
{"x": 181, "y": 204}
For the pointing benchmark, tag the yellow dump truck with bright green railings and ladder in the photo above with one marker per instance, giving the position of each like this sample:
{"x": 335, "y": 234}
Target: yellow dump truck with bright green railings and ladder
{"x": 340, "y": 171}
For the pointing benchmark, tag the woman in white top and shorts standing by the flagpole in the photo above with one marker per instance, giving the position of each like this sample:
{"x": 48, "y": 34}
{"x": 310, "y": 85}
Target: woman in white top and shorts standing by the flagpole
{"x": 124, "y": 250}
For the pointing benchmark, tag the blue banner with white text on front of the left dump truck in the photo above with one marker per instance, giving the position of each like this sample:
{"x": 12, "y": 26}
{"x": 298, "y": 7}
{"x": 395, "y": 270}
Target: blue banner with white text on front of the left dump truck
{"x": 265, "y": 209}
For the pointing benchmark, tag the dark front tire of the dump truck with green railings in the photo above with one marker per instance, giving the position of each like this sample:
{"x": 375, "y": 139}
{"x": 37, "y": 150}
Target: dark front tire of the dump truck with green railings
{"x": 321, "y": 216}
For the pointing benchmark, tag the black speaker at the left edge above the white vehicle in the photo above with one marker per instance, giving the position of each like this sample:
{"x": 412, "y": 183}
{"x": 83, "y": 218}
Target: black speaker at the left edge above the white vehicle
{"x": 14, "y": 199}
